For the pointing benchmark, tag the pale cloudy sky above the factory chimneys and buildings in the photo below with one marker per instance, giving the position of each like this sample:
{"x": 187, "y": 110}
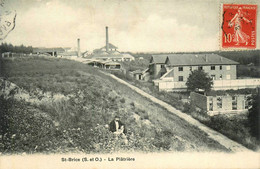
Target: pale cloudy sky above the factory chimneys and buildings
{"x": 140, "y": 25}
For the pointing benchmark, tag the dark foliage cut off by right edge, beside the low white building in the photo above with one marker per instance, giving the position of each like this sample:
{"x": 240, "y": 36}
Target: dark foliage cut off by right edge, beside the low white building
{"x": 254, "y": 116}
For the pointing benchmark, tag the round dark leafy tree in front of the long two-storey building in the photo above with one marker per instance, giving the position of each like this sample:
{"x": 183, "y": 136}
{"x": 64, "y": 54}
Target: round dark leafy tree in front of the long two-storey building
{"x": 198, "y": 79}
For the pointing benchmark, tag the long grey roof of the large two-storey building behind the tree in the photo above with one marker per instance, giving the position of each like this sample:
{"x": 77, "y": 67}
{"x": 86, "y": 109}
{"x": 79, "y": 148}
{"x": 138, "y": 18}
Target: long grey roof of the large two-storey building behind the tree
{"x": 193, "y": 59}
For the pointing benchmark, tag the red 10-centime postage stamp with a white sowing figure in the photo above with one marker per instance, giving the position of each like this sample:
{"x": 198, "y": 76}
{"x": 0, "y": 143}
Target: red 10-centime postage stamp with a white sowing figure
{"x": 238, "y": 26}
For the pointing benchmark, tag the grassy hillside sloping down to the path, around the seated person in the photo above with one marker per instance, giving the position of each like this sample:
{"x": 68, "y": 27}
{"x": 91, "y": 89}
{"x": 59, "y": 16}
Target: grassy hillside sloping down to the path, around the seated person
{"x": 67, "y": 108}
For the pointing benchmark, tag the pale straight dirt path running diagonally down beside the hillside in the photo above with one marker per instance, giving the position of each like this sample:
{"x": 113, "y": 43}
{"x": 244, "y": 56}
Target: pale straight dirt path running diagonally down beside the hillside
{"x": 221, "y": 139}
